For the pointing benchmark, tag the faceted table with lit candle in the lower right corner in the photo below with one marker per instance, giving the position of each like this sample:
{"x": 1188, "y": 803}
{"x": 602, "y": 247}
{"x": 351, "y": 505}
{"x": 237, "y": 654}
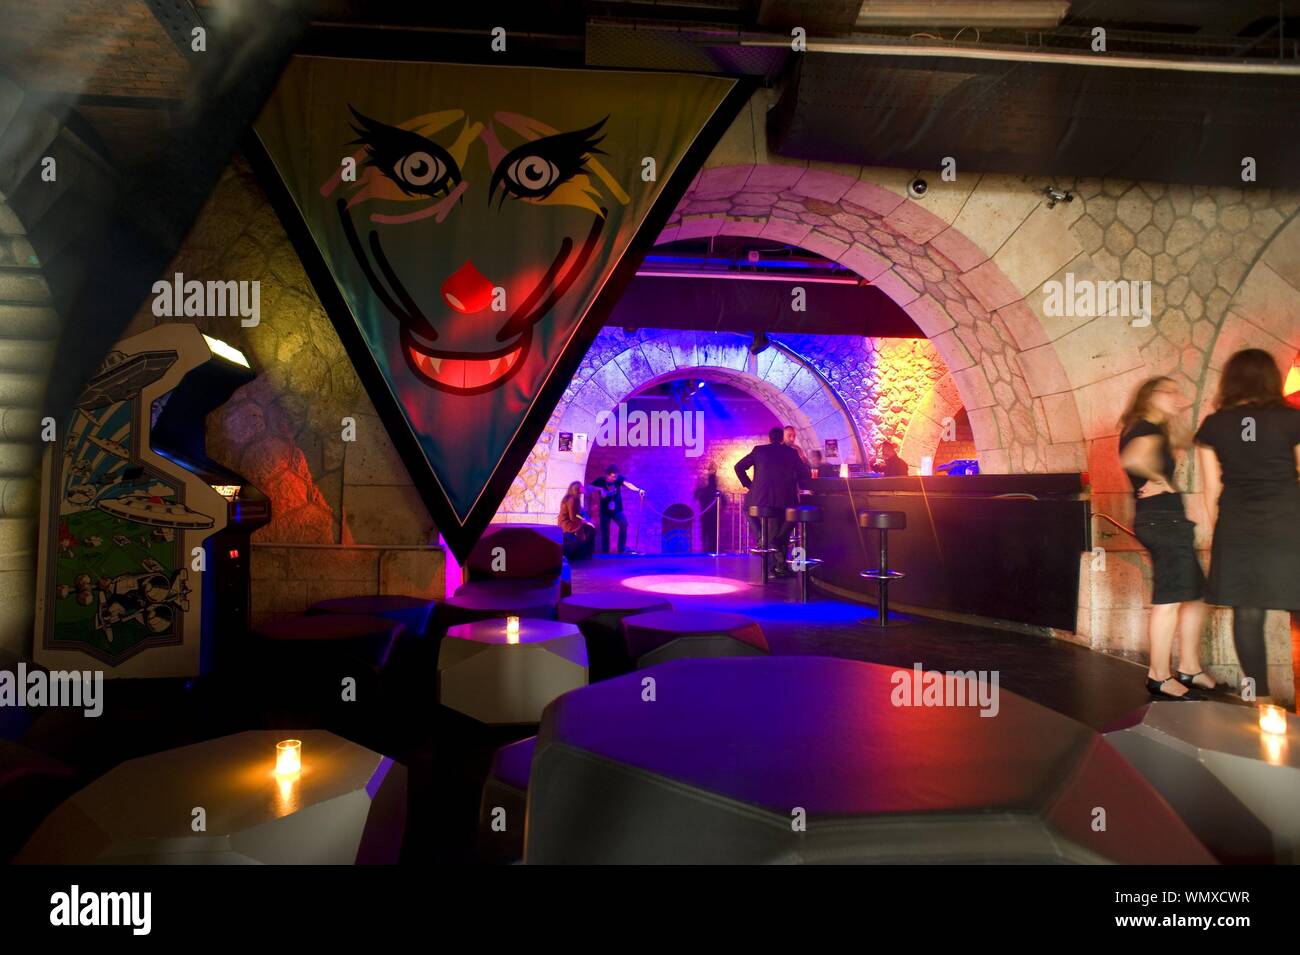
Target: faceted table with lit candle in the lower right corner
{"x": 1237, "y": 788}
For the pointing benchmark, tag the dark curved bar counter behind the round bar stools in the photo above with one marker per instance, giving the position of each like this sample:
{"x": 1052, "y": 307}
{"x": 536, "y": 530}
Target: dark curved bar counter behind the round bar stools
{"x": 999, "y": 546}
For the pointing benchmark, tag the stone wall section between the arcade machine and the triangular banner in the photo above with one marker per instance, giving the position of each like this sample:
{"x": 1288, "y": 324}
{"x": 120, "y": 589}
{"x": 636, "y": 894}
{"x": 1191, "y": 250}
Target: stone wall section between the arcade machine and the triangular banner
{"x": 285, "y": 431}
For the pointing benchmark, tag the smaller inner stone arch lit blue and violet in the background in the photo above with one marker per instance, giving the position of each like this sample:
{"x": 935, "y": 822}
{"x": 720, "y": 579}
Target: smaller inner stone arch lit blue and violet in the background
{"x": 622, "y": 366}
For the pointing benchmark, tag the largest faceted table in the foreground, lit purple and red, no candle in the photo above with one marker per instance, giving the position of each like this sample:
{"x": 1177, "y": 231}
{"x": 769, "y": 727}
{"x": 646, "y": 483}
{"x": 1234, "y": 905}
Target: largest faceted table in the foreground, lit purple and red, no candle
{"x": 808, "y": 759}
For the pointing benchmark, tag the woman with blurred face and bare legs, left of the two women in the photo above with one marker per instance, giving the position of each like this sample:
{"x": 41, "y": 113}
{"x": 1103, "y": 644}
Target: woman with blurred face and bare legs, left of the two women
{"x": 1149, "y": 439}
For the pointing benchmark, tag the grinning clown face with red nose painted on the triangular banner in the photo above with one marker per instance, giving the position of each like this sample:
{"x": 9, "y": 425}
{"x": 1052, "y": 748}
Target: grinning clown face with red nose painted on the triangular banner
{"x": 469, "y": 332}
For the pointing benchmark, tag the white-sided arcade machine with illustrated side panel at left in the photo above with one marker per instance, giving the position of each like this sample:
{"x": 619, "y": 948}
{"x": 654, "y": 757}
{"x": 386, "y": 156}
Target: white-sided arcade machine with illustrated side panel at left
{"x": 144, "y": 563}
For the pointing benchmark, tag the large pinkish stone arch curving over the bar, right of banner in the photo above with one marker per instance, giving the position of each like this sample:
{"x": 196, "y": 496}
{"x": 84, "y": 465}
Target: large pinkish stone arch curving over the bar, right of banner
{"x": 998, "y": 354}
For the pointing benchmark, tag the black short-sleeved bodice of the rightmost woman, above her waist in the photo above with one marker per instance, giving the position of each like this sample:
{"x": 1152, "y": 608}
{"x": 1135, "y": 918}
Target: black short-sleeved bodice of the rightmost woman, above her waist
{"x": 1255, "y": 446}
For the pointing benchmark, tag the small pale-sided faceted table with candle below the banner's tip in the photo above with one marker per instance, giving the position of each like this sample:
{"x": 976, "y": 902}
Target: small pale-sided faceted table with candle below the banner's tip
{"x": 496, "y": 679}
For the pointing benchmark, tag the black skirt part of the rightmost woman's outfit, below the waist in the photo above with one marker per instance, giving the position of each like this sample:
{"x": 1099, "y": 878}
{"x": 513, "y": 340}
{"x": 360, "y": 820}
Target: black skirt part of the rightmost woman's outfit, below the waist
{"x": 1255, "y": 561}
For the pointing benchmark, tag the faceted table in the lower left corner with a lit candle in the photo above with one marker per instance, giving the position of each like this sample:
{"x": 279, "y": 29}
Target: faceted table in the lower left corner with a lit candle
{"x": 348, "y": 806}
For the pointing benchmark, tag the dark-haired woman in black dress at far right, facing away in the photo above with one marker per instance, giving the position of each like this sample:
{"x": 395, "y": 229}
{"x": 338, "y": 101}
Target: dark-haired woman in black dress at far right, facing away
{"x": 1250, "y": 458}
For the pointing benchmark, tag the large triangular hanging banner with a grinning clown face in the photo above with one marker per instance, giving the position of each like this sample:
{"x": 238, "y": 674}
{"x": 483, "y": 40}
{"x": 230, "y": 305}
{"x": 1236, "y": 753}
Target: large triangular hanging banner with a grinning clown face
{"x": 469, "y": 228}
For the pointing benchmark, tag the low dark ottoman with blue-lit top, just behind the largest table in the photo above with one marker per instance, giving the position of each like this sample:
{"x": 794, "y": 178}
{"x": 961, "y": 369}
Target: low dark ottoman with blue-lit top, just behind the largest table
{"x": 653, "y": 639}
